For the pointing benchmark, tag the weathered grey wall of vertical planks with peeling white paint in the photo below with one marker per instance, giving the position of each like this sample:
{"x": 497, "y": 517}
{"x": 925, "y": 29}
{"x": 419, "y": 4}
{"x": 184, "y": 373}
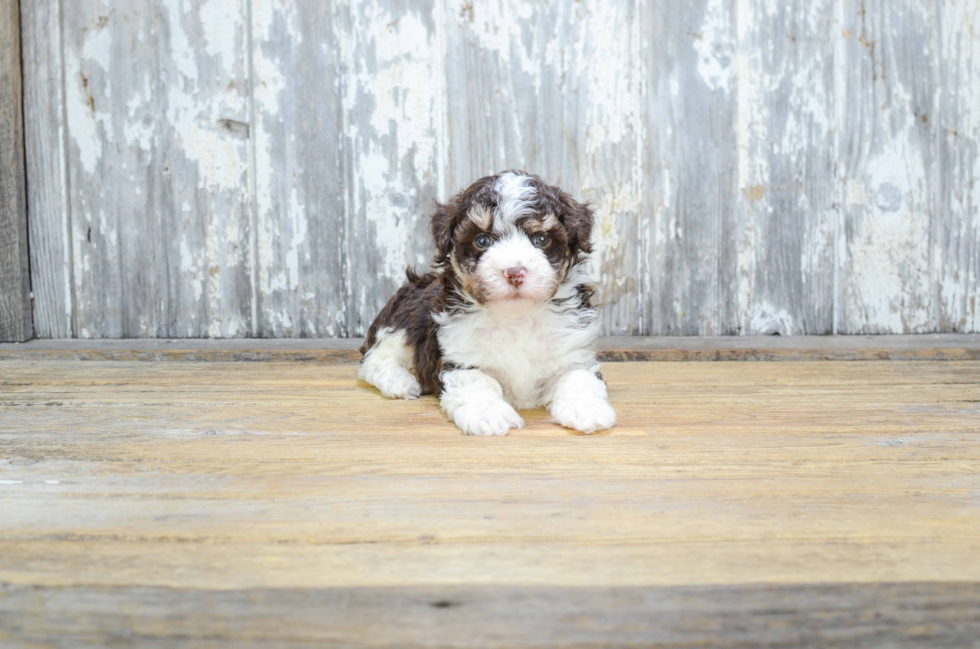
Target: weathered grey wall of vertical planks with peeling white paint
{"x": 265, "y": 167}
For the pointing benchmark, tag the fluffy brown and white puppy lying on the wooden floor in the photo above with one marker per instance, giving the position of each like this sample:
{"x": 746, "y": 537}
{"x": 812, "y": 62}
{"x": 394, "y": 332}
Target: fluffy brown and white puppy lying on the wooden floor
{"x": 506, "y": 321}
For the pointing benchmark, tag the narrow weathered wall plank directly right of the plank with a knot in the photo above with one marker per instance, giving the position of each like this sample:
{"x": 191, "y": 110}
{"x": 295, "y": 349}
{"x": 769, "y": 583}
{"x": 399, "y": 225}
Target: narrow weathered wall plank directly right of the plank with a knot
{"x": 299, "y": 169}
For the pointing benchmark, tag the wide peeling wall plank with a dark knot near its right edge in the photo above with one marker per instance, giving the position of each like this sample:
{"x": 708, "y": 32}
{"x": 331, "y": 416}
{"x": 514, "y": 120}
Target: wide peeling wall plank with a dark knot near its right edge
{"x": 158, "y": 113}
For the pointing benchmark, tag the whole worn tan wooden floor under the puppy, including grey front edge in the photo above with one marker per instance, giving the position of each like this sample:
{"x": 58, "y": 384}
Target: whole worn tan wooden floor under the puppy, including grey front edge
{"x": 286, "y": 504}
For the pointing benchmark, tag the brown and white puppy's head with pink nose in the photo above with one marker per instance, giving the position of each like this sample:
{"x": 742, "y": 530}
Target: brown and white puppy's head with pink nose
{"x": 511, "y": 239}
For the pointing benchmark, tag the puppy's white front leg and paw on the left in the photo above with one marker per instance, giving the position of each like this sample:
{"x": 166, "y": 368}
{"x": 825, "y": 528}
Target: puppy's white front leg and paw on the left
{"x": 476, "y": 403}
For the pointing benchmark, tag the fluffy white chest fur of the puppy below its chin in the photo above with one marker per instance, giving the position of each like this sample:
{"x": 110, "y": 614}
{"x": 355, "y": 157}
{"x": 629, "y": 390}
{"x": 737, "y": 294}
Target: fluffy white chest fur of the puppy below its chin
{"x": 527, "y": 351}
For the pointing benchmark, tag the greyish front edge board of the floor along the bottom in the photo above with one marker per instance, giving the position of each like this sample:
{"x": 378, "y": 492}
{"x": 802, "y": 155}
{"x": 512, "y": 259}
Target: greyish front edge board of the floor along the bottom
{"x": 839, "y": 615}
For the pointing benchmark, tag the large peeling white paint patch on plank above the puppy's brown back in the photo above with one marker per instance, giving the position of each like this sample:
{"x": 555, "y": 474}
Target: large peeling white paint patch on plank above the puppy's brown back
{"x": 394, "y": 138}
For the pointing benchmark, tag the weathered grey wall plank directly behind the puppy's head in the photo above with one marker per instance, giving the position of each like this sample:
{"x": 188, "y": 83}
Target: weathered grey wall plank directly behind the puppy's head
{"x": 555, "y": 88}
